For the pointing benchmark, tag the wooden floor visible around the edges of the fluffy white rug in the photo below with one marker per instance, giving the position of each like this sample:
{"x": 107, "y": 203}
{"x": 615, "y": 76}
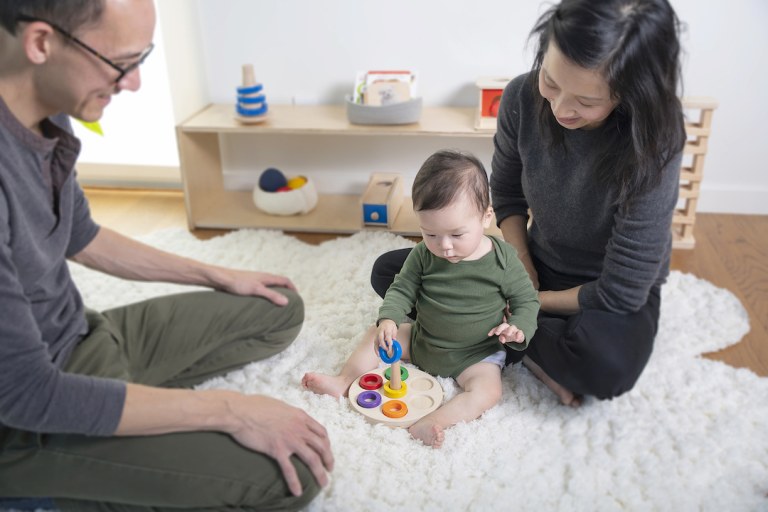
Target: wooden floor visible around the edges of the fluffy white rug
{"x": 731, "y": 252}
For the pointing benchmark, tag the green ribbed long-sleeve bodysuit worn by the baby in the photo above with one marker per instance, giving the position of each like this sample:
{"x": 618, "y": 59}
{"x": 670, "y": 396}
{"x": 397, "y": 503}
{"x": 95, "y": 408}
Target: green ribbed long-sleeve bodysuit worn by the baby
{"x": 458, "y": 304}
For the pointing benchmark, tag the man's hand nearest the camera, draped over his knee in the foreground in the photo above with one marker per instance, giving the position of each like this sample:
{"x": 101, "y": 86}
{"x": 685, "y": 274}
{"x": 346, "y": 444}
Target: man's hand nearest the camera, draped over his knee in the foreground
{"x": 279, "y": 430}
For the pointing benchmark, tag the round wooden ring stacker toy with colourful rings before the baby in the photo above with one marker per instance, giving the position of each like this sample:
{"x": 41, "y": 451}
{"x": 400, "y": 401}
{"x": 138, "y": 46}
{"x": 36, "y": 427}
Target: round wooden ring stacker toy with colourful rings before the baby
{"x": 390, "y": 401}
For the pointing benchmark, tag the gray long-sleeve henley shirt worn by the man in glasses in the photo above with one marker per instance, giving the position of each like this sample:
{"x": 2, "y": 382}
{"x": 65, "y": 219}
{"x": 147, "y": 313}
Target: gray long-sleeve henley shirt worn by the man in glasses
{"x": 44, "y": 219}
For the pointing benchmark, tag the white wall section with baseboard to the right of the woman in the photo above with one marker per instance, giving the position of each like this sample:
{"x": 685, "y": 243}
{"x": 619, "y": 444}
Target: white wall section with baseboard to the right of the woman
{"x": 726, "y": 47}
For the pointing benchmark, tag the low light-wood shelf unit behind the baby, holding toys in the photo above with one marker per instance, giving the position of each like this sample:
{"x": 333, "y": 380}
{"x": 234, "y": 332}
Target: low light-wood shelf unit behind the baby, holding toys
{"x": 209, "y": 205}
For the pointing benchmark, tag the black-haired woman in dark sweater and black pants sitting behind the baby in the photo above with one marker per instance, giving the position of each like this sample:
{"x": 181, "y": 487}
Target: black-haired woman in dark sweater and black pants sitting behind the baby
{"x": 590, "y": 142}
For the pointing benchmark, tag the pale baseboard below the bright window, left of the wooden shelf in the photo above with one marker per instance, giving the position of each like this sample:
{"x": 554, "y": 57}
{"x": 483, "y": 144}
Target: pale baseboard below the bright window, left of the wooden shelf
{"x": 128, "y": 176}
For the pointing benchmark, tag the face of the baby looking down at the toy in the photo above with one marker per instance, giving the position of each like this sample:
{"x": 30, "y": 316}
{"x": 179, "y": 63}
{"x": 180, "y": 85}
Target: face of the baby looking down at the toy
{"x": 455, "y": 232}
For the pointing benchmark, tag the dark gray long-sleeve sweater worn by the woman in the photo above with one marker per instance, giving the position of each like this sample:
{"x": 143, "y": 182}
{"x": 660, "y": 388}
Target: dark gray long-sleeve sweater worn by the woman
{"x": 617, "y": 254}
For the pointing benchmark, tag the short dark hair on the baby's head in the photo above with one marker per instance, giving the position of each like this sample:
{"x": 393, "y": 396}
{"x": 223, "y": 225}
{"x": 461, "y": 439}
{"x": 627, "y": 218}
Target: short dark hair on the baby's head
{"x": 444, "y": 176}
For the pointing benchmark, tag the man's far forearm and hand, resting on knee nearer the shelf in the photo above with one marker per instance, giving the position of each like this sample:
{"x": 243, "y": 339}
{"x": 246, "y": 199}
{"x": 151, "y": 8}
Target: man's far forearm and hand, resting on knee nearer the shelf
{"x": 123, "y": 257}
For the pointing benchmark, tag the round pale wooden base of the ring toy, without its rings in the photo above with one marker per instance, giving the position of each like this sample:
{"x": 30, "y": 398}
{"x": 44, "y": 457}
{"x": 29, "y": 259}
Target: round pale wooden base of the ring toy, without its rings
{"x": 423, "y": 396}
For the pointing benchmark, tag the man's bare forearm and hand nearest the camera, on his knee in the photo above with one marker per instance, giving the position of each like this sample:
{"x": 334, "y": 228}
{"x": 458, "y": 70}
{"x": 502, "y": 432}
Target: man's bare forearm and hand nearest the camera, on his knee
{"x": 257, "y": 422}
